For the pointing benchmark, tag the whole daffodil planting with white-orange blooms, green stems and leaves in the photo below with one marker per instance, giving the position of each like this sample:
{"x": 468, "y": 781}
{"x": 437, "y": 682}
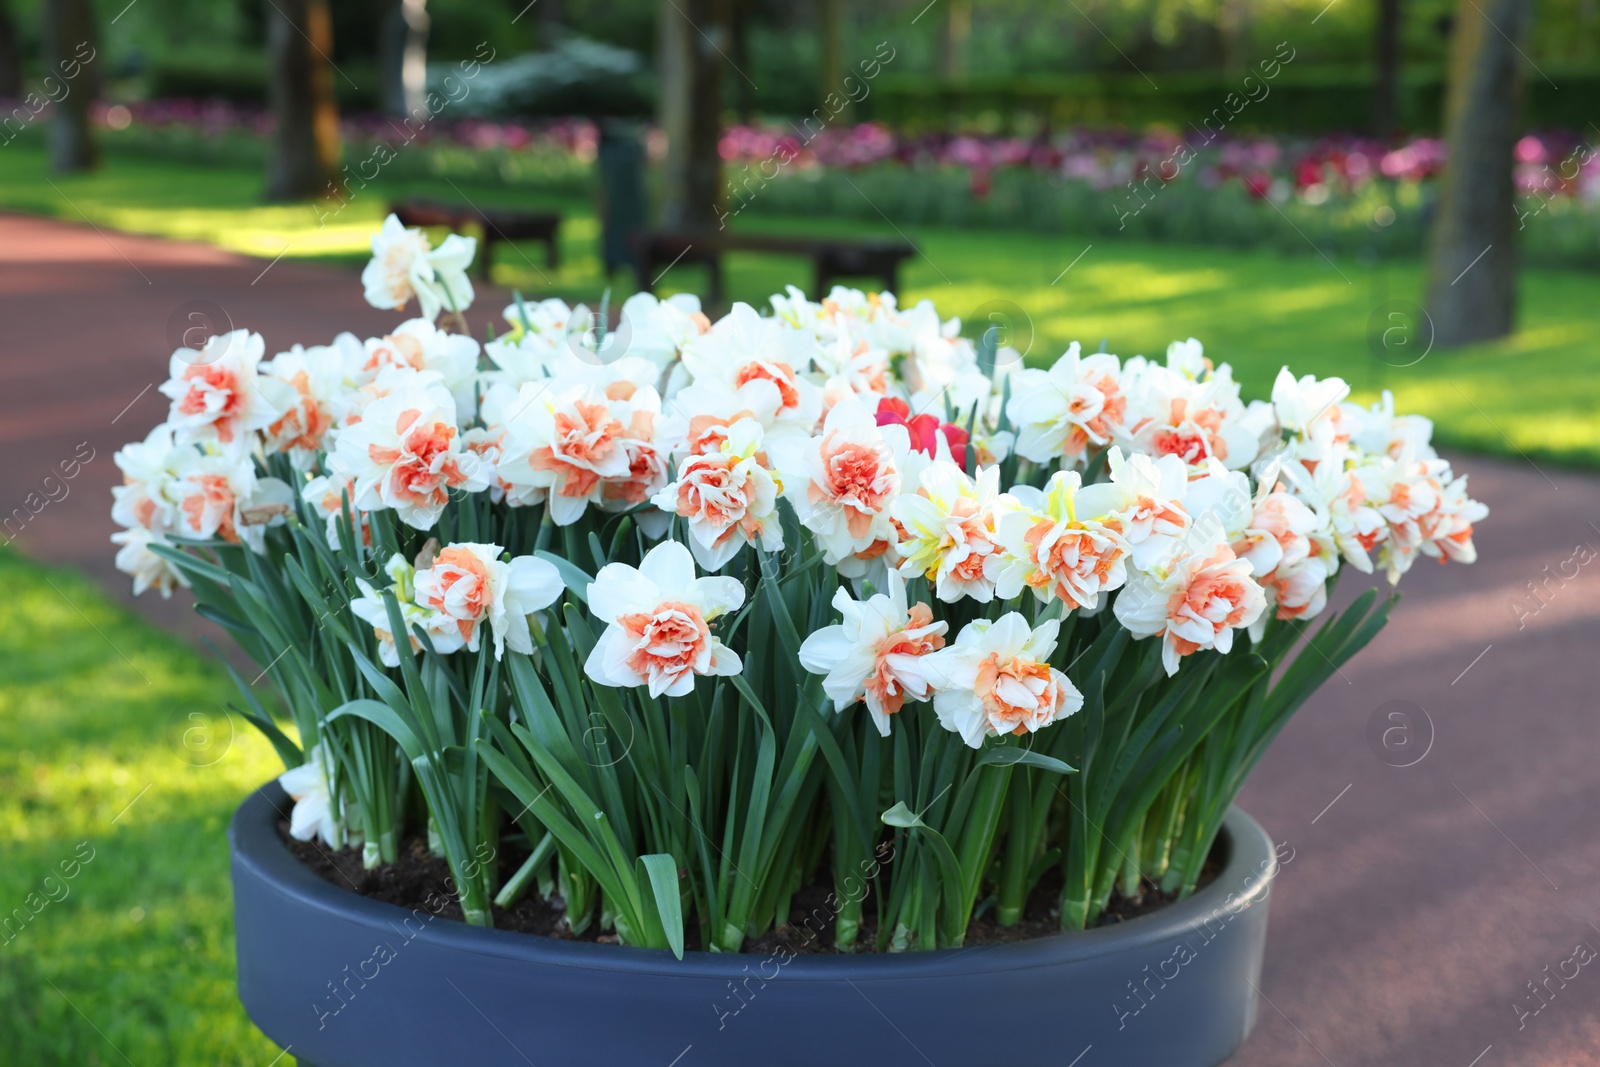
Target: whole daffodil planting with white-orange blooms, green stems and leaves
{"x": 607, "y": 577}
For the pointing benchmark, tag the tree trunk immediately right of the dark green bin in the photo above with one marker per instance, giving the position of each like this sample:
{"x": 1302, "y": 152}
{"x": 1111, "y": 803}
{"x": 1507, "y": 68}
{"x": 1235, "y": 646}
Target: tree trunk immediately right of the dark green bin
{"x": 692, "y": 73}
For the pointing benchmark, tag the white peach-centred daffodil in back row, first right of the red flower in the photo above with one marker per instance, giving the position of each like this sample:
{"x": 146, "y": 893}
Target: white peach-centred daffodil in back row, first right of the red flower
{"x": 1071, "y": 409}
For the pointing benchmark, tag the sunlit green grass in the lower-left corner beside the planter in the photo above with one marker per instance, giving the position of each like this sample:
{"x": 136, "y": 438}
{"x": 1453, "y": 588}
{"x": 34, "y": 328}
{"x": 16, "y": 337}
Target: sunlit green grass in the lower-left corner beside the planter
{"x": 116, "y": 749}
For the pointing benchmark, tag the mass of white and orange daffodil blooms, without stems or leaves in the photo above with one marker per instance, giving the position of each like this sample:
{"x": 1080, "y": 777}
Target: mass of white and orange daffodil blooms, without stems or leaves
{"x": 935, "y": 479}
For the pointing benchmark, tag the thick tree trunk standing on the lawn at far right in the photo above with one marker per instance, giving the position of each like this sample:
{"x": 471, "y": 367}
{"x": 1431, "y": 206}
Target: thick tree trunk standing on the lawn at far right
{"x": 1473, "y": 263}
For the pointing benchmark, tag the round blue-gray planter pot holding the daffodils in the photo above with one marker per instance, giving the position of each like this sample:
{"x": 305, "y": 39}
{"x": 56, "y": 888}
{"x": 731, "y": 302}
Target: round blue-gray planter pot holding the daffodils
{"x": 343, "y": 981}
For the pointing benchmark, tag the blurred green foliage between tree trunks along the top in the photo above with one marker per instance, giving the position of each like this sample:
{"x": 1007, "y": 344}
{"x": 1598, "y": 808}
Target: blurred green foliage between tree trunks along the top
{"x": 988, "y": 65}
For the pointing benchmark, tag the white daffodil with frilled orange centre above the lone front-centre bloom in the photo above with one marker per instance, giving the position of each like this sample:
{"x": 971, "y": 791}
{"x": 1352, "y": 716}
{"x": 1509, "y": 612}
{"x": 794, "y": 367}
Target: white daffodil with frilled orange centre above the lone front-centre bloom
{"x": 729, "y": 498}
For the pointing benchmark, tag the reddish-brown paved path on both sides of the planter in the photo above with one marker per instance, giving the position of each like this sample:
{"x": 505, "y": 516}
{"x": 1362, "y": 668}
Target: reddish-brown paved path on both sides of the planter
{"x": 1422, "y": 901}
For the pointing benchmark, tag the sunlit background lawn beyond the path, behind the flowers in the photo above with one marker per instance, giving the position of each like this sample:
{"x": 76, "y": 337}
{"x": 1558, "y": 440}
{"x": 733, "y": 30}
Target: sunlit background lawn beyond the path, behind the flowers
{"x": 1532, "y": 394}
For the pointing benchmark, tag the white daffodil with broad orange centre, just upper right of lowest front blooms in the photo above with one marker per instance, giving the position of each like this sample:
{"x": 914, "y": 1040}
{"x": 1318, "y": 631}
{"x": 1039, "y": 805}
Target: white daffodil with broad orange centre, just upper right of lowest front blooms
{"x": 1193, "y": 602}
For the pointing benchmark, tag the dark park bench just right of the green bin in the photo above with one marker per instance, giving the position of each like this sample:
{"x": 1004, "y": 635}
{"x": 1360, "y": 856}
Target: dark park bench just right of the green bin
{"x": 833, "y": 258}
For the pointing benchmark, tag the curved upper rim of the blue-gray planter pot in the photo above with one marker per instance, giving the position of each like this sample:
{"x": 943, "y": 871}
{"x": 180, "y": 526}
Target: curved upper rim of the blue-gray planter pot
{"x": 1244, "y": 882}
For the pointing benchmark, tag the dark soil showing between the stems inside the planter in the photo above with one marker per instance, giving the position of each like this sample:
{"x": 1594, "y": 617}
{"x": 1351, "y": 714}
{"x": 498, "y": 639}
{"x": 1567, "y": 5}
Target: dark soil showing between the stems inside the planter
{"x": 422, "y": 881}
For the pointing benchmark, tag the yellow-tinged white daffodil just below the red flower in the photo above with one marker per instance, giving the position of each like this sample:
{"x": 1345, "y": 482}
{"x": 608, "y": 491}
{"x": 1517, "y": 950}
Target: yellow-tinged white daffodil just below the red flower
{"x": 948, "y": 532}
